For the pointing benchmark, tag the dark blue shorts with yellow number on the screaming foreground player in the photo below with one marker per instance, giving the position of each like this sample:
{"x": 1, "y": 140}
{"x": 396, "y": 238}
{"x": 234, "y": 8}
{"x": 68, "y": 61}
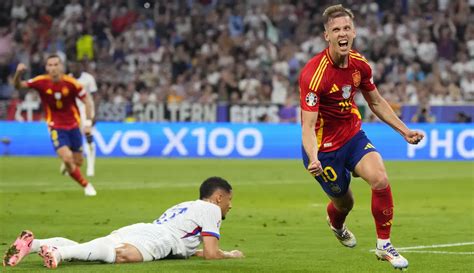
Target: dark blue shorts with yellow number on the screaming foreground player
{"x": 338, "y": 165}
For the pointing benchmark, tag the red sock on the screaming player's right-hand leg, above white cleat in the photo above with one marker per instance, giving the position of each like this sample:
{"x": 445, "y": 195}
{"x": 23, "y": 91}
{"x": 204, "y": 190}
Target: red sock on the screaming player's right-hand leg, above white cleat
{"x": 382, "y": 210}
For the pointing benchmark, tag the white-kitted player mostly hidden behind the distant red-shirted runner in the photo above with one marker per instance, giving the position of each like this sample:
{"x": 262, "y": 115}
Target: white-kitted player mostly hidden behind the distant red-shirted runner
{"x": 89, "y": 84}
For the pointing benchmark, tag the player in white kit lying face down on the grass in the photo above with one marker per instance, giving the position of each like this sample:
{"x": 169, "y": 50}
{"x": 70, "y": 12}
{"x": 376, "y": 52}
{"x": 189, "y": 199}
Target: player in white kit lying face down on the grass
{"x": 177, "y": 233}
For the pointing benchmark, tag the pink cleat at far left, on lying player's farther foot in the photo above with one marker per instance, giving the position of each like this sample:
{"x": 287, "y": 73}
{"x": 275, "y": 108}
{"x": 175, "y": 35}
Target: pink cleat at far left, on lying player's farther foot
{"x": 19, "y": 249}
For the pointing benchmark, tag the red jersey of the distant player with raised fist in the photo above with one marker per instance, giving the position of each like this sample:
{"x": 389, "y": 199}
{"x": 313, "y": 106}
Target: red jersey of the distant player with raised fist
{"x": 59, "y": 100}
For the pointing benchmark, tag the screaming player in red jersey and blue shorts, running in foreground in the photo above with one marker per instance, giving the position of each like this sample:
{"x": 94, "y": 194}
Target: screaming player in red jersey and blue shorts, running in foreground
{"x": 334, "y": 144}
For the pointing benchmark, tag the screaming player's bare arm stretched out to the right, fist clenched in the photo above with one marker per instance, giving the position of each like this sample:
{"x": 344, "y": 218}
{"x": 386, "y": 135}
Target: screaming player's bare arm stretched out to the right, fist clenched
{"x": 382, "y": 110}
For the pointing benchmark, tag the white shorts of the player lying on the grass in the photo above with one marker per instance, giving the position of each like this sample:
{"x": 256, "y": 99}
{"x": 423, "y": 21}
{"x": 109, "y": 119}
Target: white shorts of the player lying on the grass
{"x": 149, "y": 239}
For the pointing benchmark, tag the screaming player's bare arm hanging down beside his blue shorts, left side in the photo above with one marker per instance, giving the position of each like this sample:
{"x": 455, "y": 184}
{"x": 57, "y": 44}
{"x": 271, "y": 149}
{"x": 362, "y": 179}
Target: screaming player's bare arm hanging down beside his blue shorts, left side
{"x": 310, "y": 142}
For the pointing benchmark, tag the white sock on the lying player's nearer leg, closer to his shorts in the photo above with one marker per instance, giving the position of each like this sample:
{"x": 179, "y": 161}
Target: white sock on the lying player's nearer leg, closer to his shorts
{"x": 101, "y": 249}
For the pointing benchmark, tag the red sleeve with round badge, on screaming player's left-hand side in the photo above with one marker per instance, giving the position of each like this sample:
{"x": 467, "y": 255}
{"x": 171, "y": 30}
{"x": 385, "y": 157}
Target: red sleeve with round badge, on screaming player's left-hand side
{"x": 309, "y": 98}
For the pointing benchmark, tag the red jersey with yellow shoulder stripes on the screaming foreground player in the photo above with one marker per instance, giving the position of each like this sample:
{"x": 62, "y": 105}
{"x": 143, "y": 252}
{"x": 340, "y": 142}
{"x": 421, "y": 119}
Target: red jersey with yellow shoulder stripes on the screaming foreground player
{"x": 329, "y": 90}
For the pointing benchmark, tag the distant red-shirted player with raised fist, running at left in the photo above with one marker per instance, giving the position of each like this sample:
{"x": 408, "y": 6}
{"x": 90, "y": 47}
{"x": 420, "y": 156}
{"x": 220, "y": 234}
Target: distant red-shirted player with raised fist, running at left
{"x": 58, "y": 93}
